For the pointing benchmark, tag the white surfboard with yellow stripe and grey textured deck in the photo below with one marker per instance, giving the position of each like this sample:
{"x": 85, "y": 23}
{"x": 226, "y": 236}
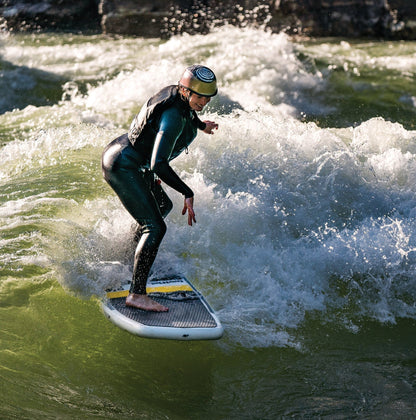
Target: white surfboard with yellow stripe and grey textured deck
{"x": 189, "y": 317}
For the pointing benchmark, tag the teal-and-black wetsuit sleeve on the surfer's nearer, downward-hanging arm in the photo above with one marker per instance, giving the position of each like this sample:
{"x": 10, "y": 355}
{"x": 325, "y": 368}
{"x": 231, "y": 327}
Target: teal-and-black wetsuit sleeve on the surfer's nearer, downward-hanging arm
{"x": 170, "y": 127}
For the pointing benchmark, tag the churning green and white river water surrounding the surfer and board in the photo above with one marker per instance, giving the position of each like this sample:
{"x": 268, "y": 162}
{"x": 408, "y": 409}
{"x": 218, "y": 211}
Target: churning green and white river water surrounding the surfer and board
{"x": 305, "y": 241}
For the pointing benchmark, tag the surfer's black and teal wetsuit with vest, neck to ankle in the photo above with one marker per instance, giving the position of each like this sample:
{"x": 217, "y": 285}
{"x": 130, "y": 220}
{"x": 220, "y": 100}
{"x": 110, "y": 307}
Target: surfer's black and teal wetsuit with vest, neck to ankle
{"x": 160, "y": 132}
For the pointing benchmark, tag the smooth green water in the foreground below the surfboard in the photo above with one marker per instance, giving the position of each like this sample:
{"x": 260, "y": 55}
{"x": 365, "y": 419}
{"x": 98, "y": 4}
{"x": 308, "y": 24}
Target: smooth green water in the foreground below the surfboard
{"x": 57, "y": 367}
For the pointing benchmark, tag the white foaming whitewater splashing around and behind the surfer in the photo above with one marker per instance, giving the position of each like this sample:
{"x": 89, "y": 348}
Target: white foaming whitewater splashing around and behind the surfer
{"x": 295, "y": 221}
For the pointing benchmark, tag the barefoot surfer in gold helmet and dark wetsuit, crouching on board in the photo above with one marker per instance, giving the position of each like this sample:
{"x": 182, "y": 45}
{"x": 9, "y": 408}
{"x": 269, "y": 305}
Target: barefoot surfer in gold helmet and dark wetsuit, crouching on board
{"x": 134, "y": 163}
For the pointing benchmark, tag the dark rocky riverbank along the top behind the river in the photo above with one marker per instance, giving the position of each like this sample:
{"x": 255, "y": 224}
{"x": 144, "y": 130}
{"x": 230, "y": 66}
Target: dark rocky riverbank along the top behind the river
{"x": 162, "y": 18}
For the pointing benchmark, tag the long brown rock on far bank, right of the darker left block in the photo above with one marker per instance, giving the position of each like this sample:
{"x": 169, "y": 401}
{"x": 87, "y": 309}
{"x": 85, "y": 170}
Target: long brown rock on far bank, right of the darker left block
{"x": 350, "y": 18}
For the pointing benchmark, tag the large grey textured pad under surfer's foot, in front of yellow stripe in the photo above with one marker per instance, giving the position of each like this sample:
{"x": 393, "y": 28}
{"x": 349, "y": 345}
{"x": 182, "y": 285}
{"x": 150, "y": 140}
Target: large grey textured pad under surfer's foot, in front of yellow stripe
{"x": 187, "y": 313}
